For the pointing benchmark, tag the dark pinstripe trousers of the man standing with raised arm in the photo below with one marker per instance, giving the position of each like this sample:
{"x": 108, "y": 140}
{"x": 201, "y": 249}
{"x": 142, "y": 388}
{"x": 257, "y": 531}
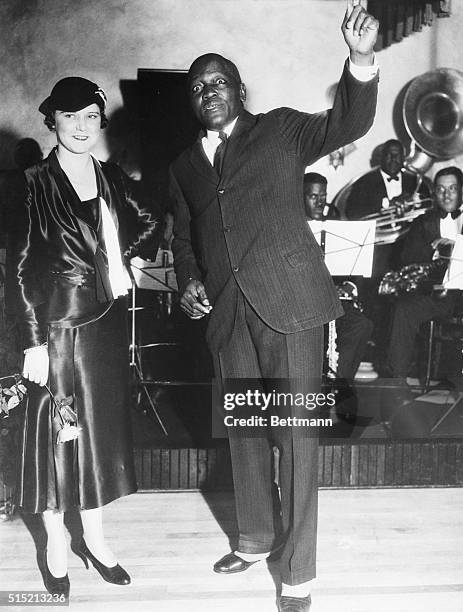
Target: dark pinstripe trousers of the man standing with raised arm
{"x": 256, "y": 351}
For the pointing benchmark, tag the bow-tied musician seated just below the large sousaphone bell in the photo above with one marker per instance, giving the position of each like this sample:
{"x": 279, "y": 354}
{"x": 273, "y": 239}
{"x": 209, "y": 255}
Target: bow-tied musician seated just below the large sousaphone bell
{"x": 376, "y": 190}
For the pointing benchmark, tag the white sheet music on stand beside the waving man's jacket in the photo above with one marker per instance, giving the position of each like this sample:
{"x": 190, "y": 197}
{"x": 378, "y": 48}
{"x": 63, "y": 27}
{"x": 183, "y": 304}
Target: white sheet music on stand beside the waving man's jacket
{"x": 349, "y": 246}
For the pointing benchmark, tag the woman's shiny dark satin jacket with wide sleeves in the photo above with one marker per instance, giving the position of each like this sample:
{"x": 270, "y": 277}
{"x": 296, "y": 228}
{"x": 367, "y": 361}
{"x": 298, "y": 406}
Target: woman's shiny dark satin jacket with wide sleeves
{"x": 58, "y": 274}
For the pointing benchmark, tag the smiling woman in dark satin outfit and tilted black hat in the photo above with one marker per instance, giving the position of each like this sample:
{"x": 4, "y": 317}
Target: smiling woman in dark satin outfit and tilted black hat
{"x": 80, "y": 224}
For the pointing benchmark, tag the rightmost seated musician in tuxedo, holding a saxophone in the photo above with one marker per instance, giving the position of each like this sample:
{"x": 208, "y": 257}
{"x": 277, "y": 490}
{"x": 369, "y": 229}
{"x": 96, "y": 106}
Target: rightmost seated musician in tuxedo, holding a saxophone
{"x": 435, "y": 231}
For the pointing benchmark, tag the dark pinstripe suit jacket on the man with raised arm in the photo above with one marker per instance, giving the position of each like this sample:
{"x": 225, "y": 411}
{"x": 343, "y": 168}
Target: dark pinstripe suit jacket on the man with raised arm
{"x": 250, "y": 223}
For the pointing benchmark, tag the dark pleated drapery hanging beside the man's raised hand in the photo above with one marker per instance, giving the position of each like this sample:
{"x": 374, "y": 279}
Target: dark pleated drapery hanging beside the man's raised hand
{"x": 400, "y": 18}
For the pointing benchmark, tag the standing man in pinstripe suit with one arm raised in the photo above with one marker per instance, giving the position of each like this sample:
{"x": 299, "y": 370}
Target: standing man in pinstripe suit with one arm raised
{"x": 245, "y": 255}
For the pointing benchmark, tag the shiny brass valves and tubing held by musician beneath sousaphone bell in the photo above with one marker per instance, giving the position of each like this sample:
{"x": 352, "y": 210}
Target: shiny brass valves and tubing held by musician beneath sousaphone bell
{"x": 392, "y": 222}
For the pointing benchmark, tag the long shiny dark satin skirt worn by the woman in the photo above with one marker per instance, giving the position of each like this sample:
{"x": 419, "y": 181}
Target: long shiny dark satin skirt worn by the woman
{"x": 90, "y": 363}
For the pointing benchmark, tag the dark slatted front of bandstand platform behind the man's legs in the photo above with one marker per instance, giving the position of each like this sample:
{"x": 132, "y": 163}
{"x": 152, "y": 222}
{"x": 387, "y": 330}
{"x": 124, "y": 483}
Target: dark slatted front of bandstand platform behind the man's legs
{"x": 368, "y": 464}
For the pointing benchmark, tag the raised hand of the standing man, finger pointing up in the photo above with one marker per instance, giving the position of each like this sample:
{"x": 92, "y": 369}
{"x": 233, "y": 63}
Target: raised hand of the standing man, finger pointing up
{"x": 360, "y": 30}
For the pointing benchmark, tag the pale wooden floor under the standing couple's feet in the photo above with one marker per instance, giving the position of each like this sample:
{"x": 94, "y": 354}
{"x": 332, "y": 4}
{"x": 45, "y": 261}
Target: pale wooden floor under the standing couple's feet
{"x": 380, "y": 550}
